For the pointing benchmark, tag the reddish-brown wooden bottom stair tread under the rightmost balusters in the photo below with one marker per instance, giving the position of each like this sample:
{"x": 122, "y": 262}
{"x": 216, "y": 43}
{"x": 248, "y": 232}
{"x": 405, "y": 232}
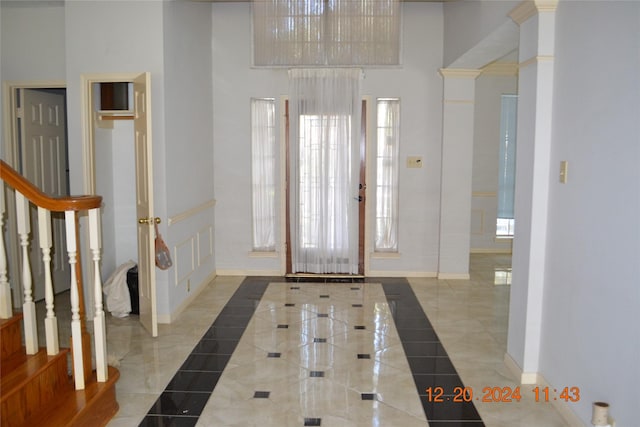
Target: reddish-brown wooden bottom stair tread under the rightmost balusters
{"x": 68, "y": 406}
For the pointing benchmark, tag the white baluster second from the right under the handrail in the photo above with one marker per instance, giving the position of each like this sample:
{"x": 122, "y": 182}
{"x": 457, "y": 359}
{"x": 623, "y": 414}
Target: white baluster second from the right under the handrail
{"x": 76, "y": 330}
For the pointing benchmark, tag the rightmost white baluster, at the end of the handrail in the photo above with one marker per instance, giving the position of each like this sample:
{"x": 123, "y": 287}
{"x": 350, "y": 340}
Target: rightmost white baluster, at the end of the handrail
{"x": 99, "y": 327}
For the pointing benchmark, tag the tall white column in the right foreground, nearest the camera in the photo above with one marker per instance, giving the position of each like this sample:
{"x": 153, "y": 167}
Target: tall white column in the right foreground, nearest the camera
{"x": 535, "y": 98}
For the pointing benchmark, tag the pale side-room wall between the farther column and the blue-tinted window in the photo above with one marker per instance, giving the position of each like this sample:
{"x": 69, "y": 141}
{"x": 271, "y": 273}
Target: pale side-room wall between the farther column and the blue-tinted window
{"x": 486, "y": 145}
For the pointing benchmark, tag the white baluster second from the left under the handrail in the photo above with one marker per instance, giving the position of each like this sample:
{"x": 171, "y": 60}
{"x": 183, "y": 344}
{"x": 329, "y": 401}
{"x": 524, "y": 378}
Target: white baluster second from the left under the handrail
{"x": 28, "y": 306}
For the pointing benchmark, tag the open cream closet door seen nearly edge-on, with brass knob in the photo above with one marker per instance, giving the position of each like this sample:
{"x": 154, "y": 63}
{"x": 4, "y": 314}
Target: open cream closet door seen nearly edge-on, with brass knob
{"x": 144, "y": 204}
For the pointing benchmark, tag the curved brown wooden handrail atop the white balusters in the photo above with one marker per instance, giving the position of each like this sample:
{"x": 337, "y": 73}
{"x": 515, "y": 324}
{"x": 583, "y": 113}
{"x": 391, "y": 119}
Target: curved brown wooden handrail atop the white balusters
{"x": 38, "y": 198}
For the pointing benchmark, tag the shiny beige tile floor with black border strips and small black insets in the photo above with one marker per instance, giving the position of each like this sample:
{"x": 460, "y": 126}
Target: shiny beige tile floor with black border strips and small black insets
{"x": 261, "y": 351}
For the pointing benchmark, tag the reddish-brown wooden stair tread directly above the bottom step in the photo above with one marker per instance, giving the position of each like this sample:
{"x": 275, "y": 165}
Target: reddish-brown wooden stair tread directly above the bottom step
{"x": 20, "y": 367}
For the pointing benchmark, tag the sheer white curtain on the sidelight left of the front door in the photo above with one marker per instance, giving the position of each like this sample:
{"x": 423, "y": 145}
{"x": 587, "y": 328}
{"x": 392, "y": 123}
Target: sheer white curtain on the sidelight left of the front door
{"x": 263, "y": 173}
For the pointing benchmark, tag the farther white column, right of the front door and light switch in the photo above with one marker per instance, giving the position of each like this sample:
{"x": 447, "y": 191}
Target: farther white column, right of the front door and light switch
{"x": 457, "y": 163}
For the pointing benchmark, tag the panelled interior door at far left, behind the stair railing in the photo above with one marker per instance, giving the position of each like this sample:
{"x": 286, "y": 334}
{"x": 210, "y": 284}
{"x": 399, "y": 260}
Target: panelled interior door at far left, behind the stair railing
{"x": 43, "y": 154}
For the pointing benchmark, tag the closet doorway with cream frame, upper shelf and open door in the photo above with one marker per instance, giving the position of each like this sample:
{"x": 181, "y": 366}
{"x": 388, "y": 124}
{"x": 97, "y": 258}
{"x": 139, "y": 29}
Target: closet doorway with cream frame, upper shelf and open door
{"x": 116, "y": 114}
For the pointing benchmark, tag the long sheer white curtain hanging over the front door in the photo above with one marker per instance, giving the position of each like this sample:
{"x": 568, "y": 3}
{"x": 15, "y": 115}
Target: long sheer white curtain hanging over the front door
{"x": 324, "y": 114}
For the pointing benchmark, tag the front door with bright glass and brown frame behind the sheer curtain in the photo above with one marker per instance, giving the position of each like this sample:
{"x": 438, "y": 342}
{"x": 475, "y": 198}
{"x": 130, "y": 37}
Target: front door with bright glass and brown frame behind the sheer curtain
{"x": 321, "y": 190}
